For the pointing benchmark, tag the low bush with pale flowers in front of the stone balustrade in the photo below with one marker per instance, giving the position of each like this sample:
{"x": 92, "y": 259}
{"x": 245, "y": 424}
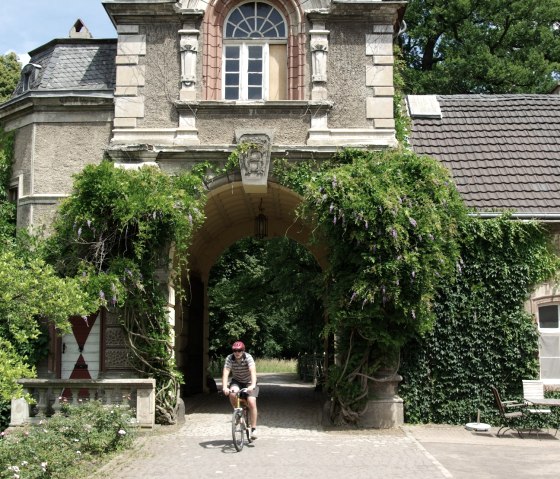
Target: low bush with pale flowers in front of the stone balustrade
{"x": 65, "y": 445}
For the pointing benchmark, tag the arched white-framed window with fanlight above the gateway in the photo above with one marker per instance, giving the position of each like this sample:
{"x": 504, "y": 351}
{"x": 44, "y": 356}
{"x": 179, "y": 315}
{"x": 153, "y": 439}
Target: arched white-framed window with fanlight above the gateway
{"x": 254, "y": 53}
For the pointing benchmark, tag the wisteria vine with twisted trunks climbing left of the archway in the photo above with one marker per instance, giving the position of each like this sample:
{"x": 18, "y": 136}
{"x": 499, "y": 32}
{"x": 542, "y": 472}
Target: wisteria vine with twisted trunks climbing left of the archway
{"x": 114, "y": 233}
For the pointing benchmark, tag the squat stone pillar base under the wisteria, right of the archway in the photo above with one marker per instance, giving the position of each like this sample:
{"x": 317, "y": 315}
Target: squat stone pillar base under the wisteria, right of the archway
{"x": 385, "y": 408}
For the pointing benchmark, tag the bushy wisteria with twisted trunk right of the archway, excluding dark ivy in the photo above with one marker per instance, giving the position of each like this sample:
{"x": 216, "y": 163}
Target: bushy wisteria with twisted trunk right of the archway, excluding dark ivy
{"x": 391, "y": 221}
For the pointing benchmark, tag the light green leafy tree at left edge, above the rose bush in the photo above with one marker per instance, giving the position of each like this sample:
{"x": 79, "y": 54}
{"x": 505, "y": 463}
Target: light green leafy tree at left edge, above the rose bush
{"x": 31, "y": 293}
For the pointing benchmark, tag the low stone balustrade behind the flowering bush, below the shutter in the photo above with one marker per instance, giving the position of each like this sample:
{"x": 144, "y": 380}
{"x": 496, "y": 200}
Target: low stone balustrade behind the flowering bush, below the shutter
{"x": 50, "y": 394}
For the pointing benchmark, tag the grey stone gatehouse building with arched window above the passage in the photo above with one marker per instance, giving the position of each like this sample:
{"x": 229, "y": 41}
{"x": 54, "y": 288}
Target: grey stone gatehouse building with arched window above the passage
{"x": 187, "y": 81}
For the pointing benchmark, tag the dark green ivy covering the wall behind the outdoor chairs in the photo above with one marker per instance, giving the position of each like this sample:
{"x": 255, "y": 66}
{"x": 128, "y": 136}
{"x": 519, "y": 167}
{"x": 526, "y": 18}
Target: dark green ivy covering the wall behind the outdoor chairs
{"x": 483, "y": 335}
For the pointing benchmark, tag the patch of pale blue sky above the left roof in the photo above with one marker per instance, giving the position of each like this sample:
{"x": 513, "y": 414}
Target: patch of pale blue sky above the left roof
{"x": 28, "y": 24}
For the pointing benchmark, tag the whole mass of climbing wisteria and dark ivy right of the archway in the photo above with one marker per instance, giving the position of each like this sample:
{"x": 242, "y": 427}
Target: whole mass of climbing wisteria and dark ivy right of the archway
{"x": 416, "y": 284}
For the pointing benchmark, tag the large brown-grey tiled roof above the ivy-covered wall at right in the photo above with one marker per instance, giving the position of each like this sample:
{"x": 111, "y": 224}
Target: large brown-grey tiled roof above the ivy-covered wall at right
{"x": 502, "y": 150}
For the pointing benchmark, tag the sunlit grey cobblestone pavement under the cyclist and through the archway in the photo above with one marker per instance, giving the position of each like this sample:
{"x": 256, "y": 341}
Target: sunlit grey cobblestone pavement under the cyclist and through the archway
{"x": 293, "y": 443}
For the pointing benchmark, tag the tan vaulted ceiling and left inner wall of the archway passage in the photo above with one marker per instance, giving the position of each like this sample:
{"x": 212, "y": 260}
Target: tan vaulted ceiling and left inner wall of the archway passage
{"x": 230, "y": 216}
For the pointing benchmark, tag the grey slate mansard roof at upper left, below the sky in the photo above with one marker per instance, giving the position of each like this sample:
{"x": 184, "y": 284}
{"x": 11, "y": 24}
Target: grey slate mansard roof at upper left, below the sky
{"x": 73, "y": 64}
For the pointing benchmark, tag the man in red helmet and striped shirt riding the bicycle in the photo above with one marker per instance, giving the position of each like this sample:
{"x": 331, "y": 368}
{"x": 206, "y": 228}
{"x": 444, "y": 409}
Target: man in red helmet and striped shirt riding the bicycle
{"x": 244, "y": 375}
